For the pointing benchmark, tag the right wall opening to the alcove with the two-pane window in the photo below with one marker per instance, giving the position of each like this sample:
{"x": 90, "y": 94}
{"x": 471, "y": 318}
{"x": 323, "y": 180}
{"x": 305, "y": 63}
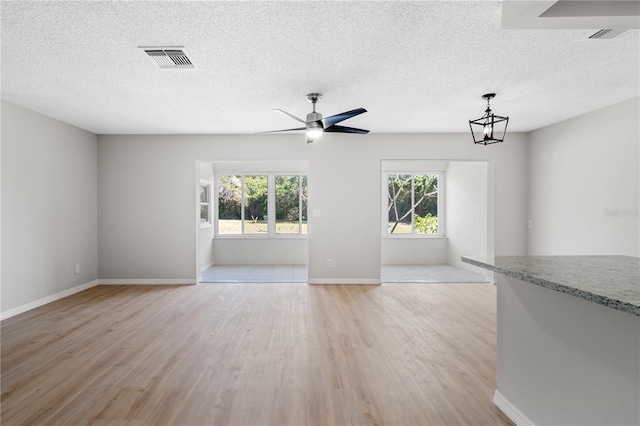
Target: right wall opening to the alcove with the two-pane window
{"x": 433, "y": 212}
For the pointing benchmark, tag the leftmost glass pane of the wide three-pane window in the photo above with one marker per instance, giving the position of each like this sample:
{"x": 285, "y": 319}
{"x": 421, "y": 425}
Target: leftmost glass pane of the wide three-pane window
{"x": 229, "y": 204}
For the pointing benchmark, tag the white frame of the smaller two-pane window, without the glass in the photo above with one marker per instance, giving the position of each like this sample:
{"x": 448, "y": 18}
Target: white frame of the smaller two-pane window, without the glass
{"x": 441, "y": 202}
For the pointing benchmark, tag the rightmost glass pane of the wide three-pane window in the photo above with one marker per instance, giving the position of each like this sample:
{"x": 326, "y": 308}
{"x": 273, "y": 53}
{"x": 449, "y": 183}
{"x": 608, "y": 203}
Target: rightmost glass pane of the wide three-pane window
{"x": 287, "y": 204}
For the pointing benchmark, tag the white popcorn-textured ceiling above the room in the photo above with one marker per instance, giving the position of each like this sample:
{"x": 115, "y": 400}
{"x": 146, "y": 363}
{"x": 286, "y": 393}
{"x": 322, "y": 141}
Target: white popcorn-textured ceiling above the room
{"x": 416, "y": 66}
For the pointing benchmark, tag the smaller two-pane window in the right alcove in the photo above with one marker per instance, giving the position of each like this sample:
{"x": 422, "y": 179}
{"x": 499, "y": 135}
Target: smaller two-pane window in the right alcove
{"x": 415, "y": 204}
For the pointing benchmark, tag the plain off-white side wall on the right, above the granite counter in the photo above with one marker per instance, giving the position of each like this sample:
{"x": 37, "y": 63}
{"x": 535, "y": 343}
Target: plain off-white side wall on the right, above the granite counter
{"x": 578, "y": 170}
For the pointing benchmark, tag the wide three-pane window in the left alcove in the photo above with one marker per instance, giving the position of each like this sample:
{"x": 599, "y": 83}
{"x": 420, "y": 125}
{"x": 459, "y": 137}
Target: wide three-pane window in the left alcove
{"x": 261, "y": 204}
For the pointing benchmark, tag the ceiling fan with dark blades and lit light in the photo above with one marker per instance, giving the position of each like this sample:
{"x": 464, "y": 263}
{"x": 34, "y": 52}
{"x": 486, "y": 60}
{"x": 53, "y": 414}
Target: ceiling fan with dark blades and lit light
{"x": 315, "y": 125}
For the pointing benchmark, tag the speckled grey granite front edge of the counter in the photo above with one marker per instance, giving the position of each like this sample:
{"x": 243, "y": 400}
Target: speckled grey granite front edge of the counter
{"x": 599, "y": 299}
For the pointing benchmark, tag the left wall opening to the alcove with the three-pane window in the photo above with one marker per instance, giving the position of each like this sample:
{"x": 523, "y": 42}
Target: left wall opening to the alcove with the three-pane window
{"x": 252, "y": 221}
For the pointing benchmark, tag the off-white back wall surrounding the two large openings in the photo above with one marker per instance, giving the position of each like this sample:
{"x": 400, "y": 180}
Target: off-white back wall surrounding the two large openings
{"x": 155, "y": 238}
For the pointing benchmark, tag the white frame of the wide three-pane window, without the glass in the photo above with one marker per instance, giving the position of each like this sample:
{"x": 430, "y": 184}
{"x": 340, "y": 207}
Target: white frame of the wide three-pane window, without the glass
{"x": 271, "y": 204}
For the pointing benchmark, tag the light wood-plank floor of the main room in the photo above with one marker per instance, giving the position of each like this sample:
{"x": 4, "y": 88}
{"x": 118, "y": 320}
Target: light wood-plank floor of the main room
{"x": 254, "y": 354}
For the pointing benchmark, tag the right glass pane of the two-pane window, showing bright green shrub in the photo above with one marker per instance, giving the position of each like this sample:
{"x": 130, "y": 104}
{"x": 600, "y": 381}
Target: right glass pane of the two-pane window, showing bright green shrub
{"x": 426, "y": 203}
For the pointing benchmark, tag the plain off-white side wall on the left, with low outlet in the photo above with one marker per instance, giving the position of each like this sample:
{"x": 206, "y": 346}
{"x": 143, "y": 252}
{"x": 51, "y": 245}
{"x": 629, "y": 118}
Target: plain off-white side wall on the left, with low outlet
{"x": 49, "y": 207}
